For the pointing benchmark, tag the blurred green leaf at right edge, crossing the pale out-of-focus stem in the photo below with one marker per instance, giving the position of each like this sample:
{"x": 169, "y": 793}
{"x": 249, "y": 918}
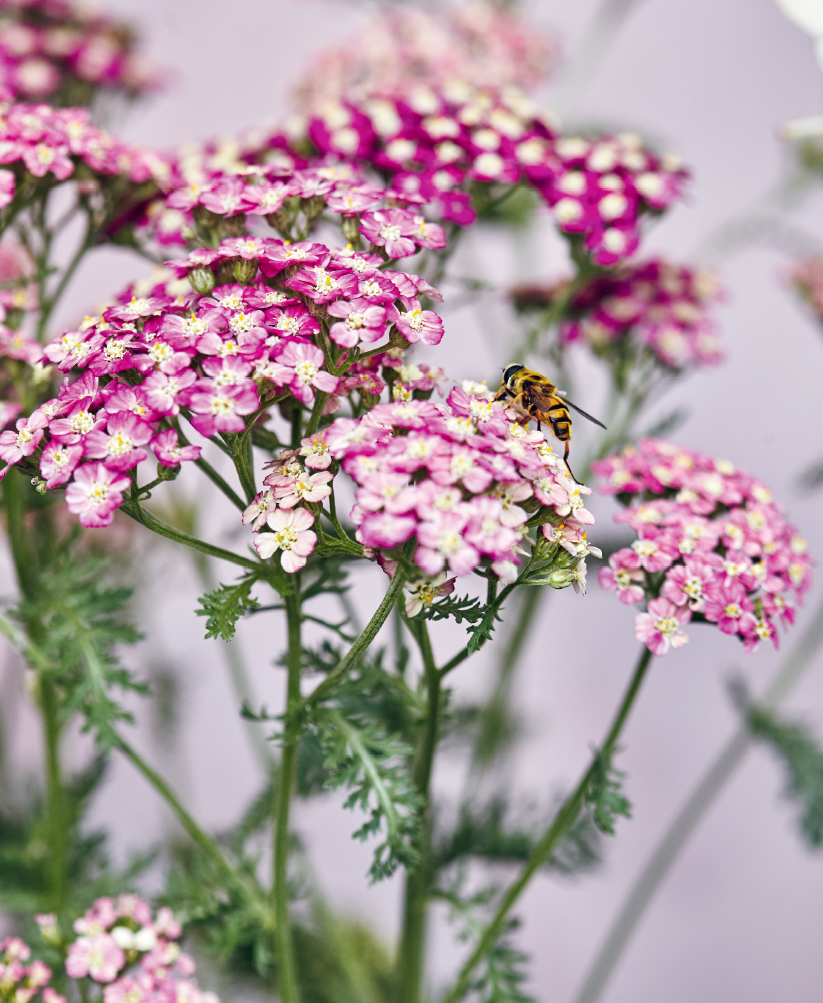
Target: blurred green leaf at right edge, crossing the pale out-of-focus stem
{"x": 802, "y": 759}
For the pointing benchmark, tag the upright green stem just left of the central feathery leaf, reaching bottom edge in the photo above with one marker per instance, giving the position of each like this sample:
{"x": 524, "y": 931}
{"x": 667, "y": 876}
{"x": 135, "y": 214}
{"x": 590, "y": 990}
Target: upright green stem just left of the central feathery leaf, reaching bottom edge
{"x": 287, "y": 975}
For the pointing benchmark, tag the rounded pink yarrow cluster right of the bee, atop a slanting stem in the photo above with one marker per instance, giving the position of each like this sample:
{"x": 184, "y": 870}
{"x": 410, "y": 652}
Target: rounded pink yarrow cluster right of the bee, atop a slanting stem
{"x": 712, "y": 546}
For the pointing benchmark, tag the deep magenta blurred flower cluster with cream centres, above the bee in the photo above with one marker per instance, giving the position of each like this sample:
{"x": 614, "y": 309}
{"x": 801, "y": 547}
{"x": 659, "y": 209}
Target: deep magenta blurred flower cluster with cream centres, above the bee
{"x": 434, "y": 144}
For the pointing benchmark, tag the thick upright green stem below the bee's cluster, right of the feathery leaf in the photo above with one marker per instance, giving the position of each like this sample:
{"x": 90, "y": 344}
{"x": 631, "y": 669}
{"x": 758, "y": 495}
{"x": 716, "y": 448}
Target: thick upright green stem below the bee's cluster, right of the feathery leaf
{"x": 419, "y": 881}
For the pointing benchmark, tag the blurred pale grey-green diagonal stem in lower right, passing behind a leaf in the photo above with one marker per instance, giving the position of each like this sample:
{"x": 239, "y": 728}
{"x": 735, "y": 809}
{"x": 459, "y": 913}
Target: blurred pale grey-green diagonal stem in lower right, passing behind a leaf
{"x": 689, "y": 817}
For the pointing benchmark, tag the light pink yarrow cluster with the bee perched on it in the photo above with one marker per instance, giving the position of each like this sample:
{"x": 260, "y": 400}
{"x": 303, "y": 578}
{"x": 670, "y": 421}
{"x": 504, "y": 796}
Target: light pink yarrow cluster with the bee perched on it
{"x": 465, "y": 482}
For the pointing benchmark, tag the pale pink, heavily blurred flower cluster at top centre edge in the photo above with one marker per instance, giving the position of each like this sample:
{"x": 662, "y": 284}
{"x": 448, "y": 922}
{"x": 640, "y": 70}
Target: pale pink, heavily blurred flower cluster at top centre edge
{"x": 480, "y": 44}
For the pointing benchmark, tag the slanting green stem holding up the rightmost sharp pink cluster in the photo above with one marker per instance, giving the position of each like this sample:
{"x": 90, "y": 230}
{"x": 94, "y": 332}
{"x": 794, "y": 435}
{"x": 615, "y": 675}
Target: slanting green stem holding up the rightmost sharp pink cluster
{"x": 565, "y": 820}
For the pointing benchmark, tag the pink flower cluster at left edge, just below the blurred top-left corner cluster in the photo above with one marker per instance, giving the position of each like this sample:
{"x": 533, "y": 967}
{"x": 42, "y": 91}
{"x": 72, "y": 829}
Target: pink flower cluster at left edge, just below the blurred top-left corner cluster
{"x": 38, "y": 140}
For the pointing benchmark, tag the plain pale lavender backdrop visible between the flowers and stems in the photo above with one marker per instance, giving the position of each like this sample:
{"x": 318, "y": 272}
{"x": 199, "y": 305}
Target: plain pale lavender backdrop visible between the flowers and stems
{"x": 740, "y": 916}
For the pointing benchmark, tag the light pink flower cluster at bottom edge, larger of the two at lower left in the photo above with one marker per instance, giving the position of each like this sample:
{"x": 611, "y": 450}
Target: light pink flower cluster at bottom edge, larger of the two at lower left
{"x": 134, "y": 953}
